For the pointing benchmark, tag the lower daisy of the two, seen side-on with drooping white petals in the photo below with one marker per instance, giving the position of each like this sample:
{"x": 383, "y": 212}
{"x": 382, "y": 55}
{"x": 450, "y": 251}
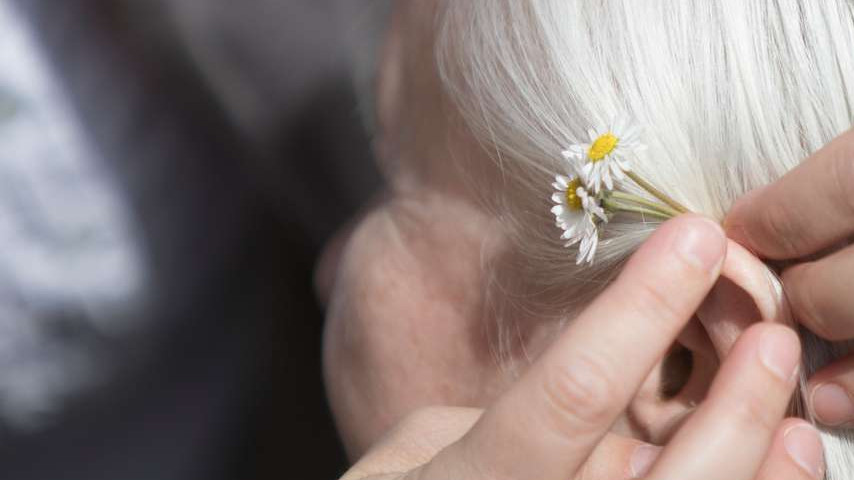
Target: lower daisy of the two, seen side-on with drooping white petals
{"x": 576, "y": 213}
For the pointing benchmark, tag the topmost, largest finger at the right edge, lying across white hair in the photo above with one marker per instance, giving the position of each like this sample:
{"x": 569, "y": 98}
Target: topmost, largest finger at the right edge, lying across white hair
{"x": 810, "y": 208}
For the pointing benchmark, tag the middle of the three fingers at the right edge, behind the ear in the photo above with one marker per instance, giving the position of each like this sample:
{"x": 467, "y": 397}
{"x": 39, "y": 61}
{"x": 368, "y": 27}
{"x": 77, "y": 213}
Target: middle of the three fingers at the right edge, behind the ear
{"x": 820, "y": 294}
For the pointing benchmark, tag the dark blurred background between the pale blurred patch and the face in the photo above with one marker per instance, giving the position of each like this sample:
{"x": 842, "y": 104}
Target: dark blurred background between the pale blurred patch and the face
{"x": 231, "y": 137}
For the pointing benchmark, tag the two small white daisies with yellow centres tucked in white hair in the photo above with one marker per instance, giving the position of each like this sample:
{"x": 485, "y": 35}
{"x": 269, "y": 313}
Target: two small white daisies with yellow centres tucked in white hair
{"x": 582, "y": 204}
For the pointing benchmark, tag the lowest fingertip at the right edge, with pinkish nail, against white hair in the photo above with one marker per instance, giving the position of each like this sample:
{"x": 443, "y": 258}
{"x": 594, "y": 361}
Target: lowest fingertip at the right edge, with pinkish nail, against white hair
{"x": 830, "y": 394}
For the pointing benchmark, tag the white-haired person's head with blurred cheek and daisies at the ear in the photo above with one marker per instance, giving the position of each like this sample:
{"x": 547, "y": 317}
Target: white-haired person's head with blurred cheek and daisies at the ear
{"x": 458, "y": 276}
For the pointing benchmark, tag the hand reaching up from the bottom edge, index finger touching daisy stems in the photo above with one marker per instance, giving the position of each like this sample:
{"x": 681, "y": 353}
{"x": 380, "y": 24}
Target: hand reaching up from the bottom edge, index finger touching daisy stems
{"x": 553, "y": 423}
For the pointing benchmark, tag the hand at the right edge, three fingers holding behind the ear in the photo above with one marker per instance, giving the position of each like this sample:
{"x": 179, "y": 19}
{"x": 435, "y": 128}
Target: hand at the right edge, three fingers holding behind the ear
{"x": 807, "y": 218}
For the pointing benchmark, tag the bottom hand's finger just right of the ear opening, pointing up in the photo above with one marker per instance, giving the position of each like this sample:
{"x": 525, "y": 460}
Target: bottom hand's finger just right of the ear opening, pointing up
{"x": 729, "y": 434}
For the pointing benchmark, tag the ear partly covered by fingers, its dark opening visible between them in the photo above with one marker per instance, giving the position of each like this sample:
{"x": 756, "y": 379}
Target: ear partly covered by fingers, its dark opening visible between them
{"x": 747, "y": 292}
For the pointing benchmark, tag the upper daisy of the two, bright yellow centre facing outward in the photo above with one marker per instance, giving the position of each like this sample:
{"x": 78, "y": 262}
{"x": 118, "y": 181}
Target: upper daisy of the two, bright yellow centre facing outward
{"x": 606, "y": 158}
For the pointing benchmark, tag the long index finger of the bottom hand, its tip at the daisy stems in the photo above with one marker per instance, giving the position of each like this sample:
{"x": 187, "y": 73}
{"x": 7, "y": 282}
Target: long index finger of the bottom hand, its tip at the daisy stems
{"x": 547, "y": 425}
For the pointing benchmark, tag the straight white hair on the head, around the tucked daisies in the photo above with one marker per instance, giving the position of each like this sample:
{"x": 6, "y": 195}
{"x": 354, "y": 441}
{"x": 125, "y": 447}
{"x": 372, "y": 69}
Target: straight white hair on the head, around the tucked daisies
{"x": 731, "y": 95}
